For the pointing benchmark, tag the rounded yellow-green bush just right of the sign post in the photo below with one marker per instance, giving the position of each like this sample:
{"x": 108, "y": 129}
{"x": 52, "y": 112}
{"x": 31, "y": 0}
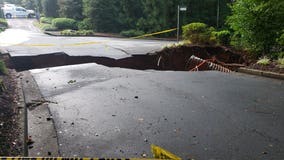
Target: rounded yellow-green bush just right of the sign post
{"x": 198, "y": 33}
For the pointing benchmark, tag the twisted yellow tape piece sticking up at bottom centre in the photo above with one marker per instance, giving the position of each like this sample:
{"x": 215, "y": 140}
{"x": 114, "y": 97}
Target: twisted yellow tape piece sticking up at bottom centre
{"x": 160, "y": 153}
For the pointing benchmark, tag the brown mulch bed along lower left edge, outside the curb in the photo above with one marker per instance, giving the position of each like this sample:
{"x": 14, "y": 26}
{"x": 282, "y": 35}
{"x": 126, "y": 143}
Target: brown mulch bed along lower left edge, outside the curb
{"x": 10, "y": 132}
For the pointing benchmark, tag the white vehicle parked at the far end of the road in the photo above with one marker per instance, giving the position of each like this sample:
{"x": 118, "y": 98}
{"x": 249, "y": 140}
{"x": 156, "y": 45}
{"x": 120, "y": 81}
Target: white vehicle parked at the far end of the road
{"x": 13, "y": 11}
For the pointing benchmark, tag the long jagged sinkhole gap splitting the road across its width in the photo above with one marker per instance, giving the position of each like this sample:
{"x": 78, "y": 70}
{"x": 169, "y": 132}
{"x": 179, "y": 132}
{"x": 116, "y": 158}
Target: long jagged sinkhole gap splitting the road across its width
{"x": 176, "y": 59}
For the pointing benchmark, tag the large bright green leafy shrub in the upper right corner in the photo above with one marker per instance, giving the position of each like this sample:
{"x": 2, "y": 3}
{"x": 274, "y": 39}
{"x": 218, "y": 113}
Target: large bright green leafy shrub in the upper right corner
{"x": 256, "y": 24}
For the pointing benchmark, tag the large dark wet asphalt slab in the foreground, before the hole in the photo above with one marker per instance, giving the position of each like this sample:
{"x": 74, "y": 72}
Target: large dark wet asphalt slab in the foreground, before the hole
{"x": 114, "y": 112}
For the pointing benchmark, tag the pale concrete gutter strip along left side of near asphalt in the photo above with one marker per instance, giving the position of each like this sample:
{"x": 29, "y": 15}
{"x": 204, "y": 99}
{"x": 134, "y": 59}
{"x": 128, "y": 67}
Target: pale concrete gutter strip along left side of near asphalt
{"x": 41, "y": 126}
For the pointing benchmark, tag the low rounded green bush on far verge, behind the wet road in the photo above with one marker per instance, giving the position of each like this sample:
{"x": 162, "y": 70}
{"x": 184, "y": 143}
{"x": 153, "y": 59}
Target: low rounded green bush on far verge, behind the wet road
{"x": 64, "y": 23}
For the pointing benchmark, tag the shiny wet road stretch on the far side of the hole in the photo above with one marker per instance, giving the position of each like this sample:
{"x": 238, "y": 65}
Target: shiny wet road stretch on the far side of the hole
{"x": 23, "y": 39}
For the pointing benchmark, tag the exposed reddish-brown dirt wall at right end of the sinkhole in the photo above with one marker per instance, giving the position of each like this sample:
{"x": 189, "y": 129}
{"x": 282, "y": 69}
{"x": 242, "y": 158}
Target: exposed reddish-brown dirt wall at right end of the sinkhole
{"x": 179, "y": 58}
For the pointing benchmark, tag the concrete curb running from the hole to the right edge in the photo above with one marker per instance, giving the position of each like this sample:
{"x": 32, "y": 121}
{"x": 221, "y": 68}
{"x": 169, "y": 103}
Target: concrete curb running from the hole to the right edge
{"x": 261, "y": 73}
